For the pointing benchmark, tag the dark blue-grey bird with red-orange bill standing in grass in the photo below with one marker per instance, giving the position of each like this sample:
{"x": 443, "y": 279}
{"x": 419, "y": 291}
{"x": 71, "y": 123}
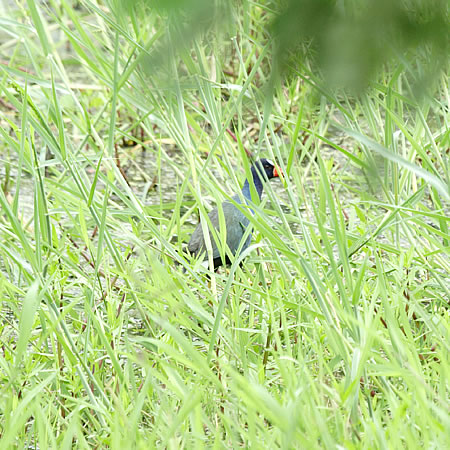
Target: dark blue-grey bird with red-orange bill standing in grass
{"x": 235, "y": 221}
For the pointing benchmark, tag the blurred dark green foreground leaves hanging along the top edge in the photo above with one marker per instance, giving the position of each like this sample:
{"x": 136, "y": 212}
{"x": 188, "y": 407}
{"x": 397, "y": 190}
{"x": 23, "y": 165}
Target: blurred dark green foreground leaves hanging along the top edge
{"x": 347, "y": 41}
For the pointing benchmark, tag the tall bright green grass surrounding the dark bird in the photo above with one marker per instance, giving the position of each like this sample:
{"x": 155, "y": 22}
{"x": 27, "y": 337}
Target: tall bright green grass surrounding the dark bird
{"x": 334, "y": 333}
